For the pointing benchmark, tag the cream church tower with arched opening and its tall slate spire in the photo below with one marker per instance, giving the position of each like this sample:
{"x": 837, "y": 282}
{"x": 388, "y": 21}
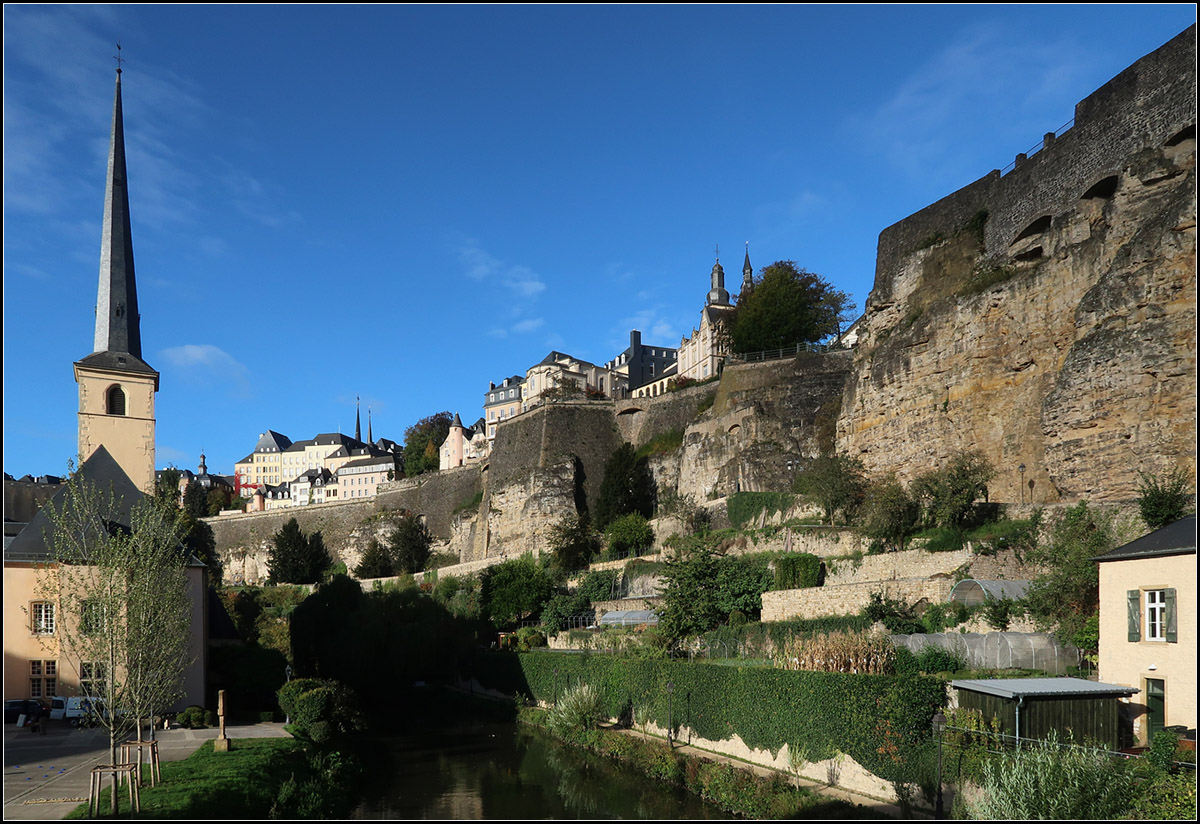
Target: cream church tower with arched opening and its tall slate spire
{"x": 117, "y": 388}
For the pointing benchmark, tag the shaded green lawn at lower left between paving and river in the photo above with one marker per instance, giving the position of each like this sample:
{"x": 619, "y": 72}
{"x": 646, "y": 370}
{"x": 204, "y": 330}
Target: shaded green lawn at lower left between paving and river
{"x": 241, "y": 784}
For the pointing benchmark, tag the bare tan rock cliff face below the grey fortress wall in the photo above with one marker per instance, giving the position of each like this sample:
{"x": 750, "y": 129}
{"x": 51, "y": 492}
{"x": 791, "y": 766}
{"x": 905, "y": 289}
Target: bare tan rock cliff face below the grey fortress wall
{"x": 1079, "y": 363}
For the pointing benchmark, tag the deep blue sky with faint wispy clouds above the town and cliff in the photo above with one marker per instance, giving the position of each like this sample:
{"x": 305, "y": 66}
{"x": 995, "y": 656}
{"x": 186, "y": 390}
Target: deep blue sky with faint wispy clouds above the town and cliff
{"x": 405, "y": 203}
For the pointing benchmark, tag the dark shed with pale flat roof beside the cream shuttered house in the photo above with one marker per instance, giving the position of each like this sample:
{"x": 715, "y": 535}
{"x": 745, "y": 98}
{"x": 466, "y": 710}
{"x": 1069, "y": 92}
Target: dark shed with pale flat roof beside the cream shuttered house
{"x": 1034, "y": 707}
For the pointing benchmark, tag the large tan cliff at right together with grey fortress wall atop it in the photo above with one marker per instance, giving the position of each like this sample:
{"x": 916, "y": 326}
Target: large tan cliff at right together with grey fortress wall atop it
{"x": 1047, "y": 317}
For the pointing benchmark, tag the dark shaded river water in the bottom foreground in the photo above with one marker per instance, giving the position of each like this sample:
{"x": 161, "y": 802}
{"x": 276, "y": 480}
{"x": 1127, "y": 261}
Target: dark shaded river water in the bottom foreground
{"x": 493, "y": 771}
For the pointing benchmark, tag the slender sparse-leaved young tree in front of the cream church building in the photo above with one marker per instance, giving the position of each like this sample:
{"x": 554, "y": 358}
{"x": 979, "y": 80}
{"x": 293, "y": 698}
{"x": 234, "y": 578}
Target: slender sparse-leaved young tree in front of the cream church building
{"x": 123, "y": 604}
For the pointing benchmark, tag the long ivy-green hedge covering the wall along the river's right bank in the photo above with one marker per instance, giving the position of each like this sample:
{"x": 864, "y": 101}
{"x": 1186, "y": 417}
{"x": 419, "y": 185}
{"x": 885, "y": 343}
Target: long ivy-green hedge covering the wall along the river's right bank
{"x": 881, "y": 721}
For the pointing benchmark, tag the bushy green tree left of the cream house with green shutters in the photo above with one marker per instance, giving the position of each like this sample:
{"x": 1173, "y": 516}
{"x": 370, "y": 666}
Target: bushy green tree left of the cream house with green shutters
{"x": 1066, "y": 598}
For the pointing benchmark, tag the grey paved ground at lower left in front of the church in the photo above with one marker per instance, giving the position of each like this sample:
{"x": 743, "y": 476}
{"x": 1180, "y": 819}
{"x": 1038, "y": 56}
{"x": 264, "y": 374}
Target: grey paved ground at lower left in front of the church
{"x": 47, "y": 777}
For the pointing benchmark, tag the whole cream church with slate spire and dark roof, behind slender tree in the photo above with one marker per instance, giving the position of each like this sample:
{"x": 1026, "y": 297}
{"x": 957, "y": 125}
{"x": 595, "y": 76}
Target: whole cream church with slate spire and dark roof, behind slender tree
{"x": 117, "y": 453}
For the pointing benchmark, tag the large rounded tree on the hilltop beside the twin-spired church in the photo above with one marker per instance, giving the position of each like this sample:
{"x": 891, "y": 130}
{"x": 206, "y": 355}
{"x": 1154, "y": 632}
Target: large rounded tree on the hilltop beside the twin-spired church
{"x": 788, "y": 305}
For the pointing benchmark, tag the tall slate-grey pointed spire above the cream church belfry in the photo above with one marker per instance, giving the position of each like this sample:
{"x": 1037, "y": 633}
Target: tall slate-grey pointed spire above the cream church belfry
{"x": 118, "y": 323}
